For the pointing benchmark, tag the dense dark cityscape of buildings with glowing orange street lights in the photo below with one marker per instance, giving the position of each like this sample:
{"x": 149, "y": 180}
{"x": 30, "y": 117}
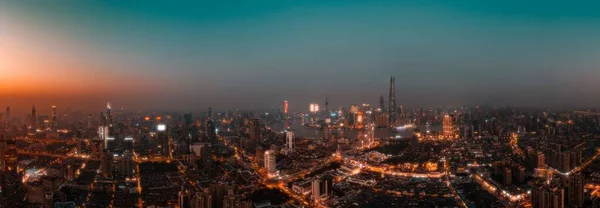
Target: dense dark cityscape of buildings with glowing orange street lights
{"x": 341, "y": 157}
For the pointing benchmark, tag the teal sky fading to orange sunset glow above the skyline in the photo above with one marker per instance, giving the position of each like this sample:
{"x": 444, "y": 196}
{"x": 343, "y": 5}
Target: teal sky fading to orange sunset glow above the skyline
{"x": 188, "y": 55}
